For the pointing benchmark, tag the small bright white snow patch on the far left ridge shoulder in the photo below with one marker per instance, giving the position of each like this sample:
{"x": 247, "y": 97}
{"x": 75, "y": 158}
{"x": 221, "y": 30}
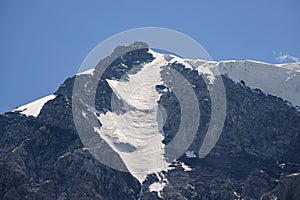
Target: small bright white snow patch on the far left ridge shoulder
{"x": 34, "y": 108}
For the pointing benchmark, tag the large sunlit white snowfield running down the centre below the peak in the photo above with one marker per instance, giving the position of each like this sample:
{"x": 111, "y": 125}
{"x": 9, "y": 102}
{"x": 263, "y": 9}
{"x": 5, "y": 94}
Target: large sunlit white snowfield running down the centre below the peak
{"x": 135, "y": 135}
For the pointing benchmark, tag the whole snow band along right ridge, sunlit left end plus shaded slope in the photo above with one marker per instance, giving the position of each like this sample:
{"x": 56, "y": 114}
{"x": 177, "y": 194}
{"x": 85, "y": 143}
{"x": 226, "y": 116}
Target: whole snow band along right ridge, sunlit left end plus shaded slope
{"x": 281, "y": 80}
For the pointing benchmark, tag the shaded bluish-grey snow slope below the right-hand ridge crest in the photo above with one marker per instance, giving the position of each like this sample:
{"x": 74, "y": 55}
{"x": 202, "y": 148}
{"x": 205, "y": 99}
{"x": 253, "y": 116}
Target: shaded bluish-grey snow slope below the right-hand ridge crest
{"x": 276, "y": 80}
